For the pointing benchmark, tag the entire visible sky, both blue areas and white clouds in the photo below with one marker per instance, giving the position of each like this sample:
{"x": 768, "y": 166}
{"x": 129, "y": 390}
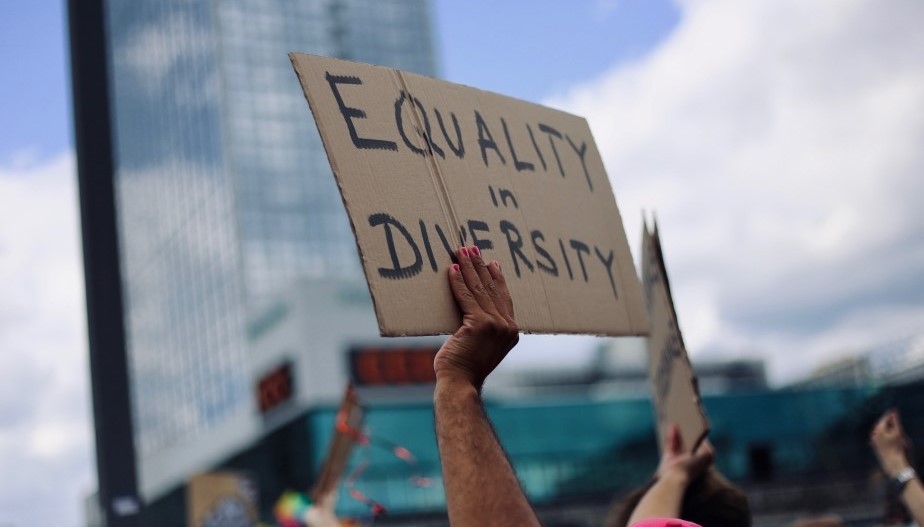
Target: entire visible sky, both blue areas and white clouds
{"x": 778, "y": 141}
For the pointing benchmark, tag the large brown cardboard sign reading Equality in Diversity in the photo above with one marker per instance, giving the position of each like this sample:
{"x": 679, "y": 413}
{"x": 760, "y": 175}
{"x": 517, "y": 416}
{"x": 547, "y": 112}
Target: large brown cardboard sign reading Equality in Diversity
{"x": 425, "y": 166}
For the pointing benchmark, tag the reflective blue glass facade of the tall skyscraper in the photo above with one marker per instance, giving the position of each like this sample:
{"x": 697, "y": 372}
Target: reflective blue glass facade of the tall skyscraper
{"x": 224, "y": 193}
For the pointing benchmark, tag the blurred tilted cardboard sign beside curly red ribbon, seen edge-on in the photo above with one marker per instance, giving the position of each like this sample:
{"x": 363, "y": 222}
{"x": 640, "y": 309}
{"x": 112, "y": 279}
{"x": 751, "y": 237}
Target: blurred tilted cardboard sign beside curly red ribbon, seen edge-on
{"x": 343, "y": 438}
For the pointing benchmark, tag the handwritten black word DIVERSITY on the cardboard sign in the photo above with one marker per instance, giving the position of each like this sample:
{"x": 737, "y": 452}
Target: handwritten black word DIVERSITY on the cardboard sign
{"x": 529, "y": 251}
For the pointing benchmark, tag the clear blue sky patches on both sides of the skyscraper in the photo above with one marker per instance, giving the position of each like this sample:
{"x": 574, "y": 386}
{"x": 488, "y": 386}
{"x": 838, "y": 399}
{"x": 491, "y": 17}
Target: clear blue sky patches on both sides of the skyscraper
{"x": 526, "y": 49}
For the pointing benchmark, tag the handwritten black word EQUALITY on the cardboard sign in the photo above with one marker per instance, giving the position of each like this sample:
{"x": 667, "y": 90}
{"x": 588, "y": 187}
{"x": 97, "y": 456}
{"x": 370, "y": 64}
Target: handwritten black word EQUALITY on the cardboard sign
{"x": 524, "y": 157}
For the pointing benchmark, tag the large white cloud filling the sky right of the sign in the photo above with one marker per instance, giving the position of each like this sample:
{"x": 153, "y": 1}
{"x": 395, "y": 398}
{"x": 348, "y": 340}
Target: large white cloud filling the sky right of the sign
{"x": 779, "y": 142}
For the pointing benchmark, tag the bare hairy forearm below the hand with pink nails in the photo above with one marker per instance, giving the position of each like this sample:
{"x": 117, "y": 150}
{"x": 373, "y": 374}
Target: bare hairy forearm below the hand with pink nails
{"x": 481, "y": 487}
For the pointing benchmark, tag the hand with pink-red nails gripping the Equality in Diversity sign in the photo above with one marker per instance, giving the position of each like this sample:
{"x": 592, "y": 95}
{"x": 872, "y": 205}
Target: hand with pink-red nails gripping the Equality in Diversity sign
{"x": 488, "y": 330}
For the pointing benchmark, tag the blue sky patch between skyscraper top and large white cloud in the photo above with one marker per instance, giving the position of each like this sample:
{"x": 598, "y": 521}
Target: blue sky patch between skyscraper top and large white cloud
{"x": 534, "y": 49}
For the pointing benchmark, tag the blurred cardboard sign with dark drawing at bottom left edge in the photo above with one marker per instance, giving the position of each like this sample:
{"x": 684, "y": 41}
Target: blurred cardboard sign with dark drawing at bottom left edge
{"x": 207, "y": 496}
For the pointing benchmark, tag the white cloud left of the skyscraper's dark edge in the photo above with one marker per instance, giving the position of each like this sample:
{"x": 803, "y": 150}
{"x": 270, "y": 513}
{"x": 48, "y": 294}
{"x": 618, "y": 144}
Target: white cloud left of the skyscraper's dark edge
{"x": 45, "y": 440}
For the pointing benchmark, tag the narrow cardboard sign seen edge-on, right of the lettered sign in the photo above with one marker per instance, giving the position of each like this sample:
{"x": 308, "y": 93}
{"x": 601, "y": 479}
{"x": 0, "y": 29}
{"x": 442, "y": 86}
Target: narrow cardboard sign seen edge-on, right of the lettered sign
{"x": 674, "y": 388}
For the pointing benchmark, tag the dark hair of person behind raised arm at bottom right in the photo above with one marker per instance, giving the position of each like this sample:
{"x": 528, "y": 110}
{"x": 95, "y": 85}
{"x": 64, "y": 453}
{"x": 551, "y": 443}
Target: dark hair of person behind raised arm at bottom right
{"x": 710, "y": 501}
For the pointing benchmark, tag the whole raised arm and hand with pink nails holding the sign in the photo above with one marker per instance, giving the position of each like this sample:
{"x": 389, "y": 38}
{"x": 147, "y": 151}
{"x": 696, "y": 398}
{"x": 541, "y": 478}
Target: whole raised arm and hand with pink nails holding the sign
{"x": 481, "y": 486}
